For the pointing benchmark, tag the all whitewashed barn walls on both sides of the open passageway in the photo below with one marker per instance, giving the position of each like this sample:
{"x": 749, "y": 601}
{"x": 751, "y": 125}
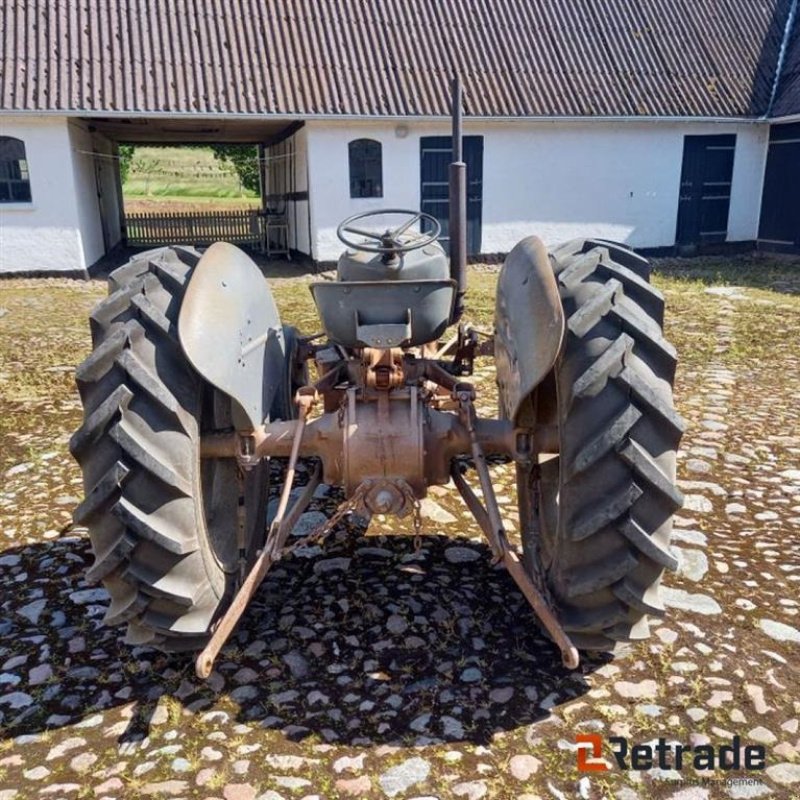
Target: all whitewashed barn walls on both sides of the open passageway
{"x": 558, "y": 180}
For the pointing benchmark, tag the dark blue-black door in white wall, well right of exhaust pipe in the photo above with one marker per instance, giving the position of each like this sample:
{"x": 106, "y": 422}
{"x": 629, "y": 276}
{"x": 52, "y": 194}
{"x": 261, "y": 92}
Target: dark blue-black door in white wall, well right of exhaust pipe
{"x": 705, "y": 194}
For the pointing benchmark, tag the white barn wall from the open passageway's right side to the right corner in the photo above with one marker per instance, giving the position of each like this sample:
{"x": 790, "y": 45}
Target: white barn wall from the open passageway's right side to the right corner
{"x": 559, "y": 180}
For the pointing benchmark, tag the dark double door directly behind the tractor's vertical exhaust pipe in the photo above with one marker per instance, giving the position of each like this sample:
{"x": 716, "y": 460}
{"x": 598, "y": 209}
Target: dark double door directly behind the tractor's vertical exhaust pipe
{"x": 436, "y": 153}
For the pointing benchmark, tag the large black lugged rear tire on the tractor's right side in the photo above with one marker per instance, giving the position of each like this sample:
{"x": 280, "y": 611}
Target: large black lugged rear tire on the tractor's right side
{"x": 606, "y": 501}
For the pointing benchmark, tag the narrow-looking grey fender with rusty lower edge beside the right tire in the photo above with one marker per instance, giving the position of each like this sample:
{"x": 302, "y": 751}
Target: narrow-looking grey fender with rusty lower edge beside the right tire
{"x": 529, "y": 328}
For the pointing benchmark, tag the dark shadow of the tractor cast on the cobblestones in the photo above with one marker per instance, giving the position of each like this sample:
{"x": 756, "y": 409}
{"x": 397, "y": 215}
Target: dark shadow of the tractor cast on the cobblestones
{"x": 369, "y": 642}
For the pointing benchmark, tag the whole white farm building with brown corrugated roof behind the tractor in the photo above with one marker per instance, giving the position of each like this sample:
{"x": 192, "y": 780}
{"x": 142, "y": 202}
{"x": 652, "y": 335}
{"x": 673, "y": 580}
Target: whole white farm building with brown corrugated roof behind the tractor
{"x": 665, "y": 124}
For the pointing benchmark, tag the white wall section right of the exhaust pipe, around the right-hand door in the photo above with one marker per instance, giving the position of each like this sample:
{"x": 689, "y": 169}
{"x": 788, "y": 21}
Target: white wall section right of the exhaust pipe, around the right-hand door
{"x": 614, "y": 181}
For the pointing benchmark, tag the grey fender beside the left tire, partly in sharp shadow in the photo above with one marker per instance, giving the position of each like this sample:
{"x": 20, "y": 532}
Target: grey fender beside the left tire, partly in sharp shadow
{"x": 231, "y": 333}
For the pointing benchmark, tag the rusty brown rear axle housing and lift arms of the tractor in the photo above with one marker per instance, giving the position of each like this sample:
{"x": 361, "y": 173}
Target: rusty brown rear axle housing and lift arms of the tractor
{"x": 385, "y": 444}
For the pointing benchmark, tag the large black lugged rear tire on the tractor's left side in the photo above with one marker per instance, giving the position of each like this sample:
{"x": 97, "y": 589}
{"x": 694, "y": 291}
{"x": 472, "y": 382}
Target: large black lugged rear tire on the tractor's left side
{"x": 163, "y": 525}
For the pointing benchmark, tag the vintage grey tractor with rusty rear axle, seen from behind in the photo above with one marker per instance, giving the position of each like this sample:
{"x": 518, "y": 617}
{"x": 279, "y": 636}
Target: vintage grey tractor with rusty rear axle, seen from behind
{"x": 194, "y": 383}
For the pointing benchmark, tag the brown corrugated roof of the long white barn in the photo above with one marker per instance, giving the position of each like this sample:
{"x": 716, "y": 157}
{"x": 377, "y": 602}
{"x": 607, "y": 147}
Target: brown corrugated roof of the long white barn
{"x": 706, "y": 58}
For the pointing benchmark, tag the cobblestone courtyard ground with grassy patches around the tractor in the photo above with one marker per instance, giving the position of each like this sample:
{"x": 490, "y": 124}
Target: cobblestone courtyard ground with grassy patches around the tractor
{"x": 370, "y": 669}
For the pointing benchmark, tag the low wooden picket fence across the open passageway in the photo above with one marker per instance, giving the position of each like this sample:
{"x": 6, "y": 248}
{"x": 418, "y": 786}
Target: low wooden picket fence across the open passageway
{"x": 241, "y": 226}
